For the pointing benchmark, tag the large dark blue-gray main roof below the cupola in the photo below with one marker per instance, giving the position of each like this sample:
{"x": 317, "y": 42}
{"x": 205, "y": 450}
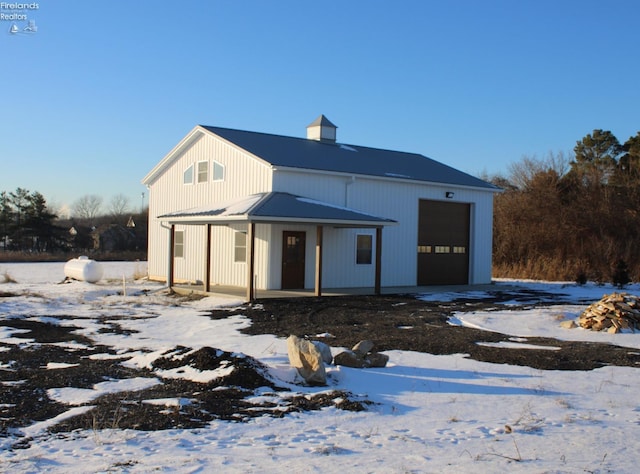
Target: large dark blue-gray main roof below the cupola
{"x": 303, "y": 153}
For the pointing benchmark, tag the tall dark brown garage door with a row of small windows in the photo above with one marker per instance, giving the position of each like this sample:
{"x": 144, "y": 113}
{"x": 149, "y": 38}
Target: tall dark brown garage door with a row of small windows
{"x": 443, "y": 243}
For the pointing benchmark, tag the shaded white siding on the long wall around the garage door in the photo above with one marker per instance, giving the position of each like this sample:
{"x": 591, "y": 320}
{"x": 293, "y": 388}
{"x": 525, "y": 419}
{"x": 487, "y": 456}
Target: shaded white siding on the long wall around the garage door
{"x": 398, "y": 200}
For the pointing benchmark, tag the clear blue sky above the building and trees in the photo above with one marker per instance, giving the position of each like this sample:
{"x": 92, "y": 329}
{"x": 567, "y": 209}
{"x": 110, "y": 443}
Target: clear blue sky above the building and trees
{"x": 104, "y": 89}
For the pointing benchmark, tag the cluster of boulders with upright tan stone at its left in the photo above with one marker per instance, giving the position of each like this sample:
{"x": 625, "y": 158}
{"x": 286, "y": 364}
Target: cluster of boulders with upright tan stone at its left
{"x": 310, "y": 357}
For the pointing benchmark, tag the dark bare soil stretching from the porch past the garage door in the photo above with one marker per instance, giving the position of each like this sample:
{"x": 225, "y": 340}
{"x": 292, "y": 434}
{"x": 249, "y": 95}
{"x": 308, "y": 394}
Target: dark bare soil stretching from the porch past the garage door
{"x": 404, "y": 323}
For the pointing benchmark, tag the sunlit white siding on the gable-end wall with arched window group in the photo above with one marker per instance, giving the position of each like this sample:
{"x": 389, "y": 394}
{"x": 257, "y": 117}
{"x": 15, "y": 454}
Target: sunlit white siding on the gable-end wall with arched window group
{"x": 243, "y": 175}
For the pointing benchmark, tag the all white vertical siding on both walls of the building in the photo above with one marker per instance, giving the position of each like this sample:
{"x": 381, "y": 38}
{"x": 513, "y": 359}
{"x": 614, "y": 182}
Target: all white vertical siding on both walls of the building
{"x": 391, "y": 197}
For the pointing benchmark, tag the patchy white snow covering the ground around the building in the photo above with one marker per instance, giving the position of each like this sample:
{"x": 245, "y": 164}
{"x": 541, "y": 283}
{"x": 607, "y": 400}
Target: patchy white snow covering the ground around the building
{"x": 431, "y": 413}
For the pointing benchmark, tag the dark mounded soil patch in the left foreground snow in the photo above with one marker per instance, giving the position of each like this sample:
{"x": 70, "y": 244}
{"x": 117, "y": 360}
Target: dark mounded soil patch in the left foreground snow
{"x": 25, "y": 379}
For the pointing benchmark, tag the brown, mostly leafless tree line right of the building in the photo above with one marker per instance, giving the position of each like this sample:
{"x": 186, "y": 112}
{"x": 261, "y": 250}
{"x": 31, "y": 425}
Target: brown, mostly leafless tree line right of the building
{"x": 571, "y": 217}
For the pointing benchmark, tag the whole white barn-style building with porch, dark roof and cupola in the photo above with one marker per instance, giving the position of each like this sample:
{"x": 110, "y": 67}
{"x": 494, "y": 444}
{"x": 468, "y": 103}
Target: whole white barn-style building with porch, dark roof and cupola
{"x": 260, "y": 211}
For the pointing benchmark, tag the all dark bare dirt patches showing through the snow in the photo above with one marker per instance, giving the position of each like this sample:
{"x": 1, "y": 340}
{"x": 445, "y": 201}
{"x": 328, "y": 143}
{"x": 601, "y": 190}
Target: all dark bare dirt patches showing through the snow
{"x": 392, "y": 322}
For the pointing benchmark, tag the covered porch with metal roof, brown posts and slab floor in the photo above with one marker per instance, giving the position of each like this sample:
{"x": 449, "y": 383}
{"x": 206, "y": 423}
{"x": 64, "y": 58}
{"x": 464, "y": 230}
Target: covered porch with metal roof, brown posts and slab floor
{"x": 271, "y": 209}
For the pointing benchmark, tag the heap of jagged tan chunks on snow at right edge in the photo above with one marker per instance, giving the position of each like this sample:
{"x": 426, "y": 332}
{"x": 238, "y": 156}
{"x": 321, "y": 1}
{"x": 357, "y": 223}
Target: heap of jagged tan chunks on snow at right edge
{"x": 612, "y": 313}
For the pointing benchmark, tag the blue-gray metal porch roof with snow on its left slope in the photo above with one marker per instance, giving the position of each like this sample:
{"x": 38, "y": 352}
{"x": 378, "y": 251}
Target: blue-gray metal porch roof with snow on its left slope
{"x": 276, "y": 207}
